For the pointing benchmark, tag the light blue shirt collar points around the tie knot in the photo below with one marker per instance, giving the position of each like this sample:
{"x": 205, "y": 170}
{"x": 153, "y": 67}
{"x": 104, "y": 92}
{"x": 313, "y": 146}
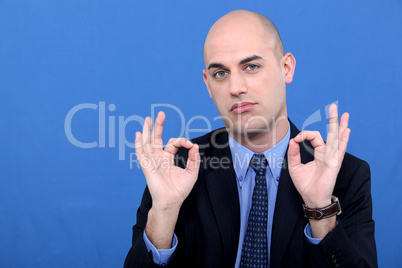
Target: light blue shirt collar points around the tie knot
{"x": 241, "y": 157}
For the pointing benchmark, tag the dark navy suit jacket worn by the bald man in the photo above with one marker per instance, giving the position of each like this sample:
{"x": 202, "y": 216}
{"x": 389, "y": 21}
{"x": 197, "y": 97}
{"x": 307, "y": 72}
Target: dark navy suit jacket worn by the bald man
{"x": 209, "y": 220}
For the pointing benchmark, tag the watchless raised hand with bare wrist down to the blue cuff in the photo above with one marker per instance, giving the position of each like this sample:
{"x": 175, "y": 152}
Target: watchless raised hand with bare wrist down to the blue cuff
{"x": 168, "y": 184}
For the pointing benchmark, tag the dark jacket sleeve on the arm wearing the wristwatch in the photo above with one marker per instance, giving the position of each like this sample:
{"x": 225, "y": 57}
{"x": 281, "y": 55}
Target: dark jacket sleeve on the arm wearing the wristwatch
{"x": 351, "y": 243}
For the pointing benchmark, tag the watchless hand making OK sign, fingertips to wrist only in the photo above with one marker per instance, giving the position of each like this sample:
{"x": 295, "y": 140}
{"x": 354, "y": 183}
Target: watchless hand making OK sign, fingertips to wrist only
{"x": 168, "y": 184}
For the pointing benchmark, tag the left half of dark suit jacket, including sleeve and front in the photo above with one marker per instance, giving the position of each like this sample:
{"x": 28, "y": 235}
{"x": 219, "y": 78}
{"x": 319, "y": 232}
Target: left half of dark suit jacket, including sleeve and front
{"x": 209, "y": 220}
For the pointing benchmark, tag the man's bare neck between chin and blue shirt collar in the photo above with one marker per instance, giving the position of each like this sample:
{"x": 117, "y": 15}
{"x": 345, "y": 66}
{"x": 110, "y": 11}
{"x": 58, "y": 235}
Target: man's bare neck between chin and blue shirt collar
{"x": 264, "y": 139}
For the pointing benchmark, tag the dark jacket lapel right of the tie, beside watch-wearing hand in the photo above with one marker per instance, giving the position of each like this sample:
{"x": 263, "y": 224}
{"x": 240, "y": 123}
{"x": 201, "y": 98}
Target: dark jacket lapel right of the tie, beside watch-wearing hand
{"x": 287, "y": 208}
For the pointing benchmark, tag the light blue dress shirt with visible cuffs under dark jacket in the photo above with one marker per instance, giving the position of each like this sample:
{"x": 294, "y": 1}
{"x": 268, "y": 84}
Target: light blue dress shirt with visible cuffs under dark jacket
{"x": 245, "y": 176}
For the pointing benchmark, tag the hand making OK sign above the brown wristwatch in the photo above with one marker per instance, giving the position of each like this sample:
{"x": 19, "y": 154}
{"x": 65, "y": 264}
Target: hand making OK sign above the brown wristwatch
{"x": 315, "y": 181}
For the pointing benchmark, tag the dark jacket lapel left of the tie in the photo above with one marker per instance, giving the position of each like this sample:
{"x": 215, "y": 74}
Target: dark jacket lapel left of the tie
{"x": 222, "y": 190}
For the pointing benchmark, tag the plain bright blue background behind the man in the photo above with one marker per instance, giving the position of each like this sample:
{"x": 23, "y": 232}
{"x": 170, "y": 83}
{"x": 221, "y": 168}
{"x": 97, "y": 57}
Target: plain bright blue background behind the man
{"x": 64, "y": 206}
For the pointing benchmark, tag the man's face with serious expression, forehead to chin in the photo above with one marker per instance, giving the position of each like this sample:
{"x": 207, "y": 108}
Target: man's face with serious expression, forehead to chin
{"x": 246, "y": 77}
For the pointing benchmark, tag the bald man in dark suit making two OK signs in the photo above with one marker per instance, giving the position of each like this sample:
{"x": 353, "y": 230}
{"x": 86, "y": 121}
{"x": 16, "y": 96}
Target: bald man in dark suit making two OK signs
{"x": 211, "y": 210}
